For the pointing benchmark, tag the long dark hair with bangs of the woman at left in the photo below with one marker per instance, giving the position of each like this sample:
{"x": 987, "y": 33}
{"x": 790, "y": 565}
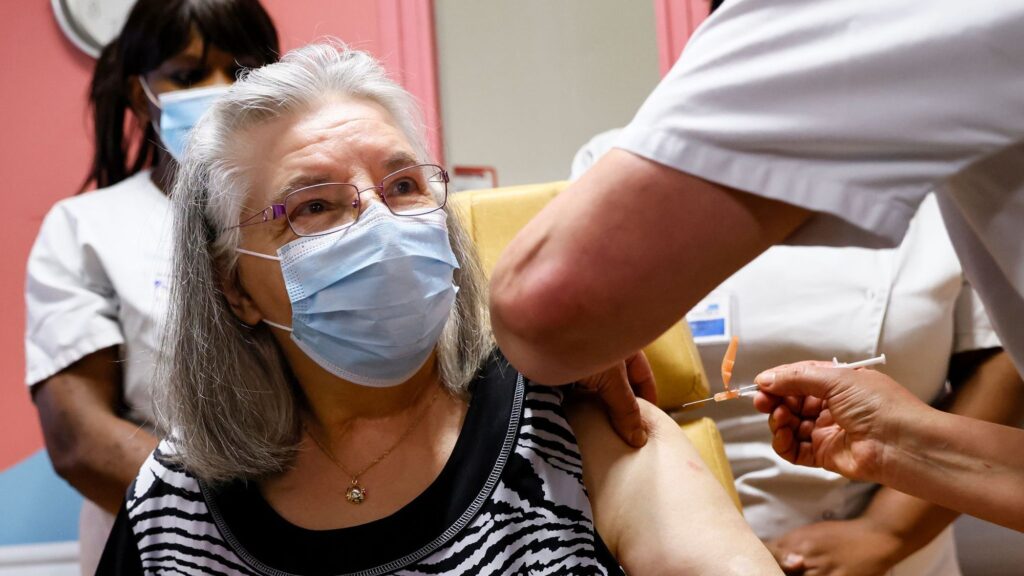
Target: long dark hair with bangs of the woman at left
{"x": 156, "y": 31}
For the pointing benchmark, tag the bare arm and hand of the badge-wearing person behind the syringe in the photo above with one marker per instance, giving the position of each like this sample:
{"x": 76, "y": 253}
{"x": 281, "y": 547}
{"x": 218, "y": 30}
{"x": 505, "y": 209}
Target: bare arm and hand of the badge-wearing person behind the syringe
{"x": 897, "y": 525}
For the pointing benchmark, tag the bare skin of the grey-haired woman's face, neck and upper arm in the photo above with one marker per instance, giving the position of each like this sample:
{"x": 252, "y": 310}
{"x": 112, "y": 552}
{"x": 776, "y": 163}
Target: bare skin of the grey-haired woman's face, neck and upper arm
{"x": 353, "y": 141}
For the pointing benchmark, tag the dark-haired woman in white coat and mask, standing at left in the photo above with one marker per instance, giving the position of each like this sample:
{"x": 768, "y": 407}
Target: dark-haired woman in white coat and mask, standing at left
{"x": 98, "y": 276}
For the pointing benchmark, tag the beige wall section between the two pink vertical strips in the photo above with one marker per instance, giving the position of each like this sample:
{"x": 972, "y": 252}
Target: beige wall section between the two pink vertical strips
{"x": 525, "y": 85}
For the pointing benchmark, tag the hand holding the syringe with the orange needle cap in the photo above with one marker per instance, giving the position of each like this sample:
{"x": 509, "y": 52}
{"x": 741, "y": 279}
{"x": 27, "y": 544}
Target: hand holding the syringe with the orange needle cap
{"x": 844, "y": 421}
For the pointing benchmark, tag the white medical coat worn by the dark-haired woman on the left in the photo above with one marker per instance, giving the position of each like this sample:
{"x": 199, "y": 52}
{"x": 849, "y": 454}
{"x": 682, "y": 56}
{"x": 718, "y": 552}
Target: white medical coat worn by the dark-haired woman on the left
{"x": 98, "y": 277}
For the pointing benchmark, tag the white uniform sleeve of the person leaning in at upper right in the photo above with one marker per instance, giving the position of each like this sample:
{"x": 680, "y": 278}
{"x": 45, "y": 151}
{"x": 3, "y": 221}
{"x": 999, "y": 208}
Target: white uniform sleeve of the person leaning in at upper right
{"x": 852, "y": 109}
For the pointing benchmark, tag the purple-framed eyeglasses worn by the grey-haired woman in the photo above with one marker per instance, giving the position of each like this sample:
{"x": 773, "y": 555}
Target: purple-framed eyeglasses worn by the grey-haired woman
{"x": 325, "y": 209}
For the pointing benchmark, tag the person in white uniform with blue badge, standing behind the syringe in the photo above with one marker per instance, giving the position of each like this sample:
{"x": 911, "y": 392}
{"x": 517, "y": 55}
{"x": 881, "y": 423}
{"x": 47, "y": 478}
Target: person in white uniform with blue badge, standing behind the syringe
{"x": 913, "y": 304}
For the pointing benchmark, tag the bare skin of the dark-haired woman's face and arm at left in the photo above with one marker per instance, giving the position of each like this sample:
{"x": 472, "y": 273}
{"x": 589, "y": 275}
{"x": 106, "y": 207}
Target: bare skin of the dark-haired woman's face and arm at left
{"x": 91, "y": 445}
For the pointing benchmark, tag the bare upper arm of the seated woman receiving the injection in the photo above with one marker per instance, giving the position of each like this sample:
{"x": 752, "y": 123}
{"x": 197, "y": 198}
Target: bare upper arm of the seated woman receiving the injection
{"x": 659, "y": 509}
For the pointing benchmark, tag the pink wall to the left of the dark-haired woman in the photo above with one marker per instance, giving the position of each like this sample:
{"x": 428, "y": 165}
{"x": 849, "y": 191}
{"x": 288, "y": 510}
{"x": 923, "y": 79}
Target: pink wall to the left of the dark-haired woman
{"x": 45, "y": 154}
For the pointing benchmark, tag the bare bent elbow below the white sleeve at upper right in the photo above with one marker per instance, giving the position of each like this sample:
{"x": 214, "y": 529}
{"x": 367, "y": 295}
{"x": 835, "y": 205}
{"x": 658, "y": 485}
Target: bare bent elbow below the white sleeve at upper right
{"x": 565, "y": 298}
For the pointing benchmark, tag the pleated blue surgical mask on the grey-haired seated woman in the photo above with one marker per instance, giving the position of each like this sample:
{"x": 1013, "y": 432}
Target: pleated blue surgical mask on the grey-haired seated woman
{"x": 369, "y": 304}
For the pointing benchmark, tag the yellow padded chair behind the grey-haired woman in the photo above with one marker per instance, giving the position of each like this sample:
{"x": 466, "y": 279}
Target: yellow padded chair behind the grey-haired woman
{"x": 493, "y": 219}
